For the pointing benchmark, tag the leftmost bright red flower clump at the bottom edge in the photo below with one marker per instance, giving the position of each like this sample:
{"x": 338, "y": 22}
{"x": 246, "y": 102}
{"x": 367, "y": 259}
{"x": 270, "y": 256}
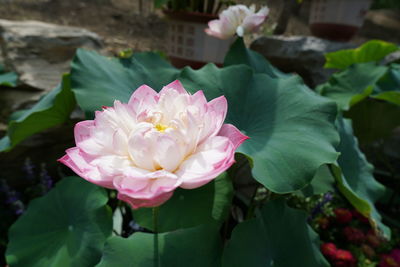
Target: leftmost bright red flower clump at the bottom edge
{"x": 338, "y": 257}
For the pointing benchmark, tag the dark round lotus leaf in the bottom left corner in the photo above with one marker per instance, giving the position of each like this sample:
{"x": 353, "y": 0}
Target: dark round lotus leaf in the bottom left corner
{"x": 67, "y": 227}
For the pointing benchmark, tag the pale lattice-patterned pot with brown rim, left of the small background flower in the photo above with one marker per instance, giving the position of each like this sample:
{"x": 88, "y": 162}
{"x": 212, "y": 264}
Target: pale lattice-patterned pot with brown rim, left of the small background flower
{"x": 189, "y": 45}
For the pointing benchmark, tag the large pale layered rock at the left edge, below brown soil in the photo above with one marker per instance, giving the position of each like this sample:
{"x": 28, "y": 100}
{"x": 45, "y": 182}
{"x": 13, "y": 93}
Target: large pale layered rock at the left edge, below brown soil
{"x": 41, "y": 52}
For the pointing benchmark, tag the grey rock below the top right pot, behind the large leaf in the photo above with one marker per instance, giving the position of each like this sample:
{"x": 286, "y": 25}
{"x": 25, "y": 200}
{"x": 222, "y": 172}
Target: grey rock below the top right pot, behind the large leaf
{"x": 303, "y": 55}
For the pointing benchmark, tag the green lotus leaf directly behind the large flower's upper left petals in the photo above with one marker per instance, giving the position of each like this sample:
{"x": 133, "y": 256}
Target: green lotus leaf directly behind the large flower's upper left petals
{"x": 98, "y": 81}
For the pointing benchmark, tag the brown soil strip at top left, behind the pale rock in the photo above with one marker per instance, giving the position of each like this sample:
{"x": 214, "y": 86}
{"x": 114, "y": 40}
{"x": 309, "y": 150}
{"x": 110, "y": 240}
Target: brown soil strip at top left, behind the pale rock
{"x": 121, "y": 23}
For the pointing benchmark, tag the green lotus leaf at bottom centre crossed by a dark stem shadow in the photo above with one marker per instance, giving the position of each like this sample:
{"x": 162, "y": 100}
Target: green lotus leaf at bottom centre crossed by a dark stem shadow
{"x": 198, "y": 246}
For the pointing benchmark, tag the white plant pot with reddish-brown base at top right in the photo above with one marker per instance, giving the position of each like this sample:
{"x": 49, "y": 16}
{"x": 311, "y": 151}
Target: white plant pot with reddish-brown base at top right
{"x": 337, "y": 20}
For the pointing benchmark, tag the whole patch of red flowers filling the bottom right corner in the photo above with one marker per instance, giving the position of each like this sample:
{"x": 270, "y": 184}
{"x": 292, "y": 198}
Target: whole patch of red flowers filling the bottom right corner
{"x": 352, "y": 229}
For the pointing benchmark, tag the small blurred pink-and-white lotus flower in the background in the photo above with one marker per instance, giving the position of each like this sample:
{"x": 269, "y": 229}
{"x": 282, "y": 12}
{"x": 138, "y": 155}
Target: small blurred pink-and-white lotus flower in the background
{"x": 237, "y": 19}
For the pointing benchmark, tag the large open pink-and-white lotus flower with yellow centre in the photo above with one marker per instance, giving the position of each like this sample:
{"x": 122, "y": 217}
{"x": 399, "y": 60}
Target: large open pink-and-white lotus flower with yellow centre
{"x": 155, "y": 143}
